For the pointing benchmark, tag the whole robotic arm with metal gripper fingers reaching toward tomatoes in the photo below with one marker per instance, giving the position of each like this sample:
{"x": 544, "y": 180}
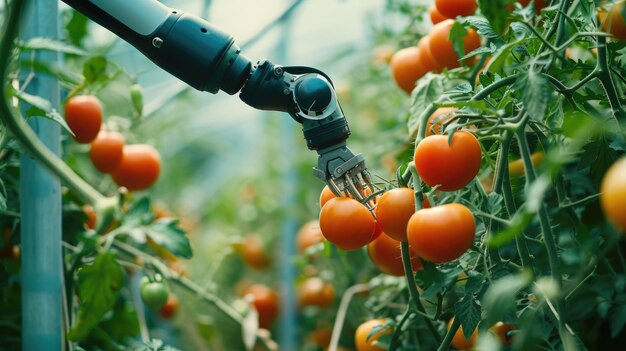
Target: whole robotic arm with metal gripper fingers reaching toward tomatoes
{"x": 207, "y": 59}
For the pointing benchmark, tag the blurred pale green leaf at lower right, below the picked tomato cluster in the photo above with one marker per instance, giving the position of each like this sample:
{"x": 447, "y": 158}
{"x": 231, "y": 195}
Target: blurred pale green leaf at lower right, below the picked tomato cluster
{"x": 500, "y": 299}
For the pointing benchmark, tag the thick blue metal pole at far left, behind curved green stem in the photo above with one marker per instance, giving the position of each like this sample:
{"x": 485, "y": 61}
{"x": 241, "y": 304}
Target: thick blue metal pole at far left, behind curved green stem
{"x": 40, "y": 200}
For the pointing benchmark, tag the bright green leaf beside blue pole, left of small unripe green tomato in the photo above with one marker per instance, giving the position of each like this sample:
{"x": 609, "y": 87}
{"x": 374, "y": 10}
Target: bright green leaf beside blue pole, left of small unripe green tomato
{"x": 98, "y": 288}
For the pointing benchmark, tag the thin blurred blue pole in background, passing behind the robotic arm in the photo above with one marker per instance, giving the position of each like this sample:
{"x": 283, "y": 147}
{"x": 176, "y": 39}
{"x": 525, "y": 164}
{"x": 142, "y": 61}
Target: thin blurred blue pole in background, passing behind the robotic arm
{"x": 289, "y": 317}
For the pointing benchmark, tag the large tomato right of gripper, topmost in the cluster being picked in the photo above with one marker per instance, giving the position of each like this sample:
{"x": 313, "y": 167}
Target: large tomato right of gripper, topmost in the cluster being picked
{"x": 452, "y": 166}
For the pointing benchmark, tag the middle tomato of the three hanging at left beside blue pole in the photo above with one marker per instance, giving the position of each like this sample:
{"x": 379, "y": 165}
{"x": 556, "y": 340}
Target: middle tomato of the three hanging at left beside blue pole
{"x": 107, "y": 150}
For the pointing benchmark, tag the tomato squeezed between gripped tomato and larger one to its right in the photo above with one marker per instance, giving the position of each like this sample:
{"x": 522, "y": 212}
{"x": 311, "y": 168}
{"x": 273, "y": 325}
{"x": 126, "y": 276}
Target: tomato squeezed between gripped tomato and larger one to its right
{"x": 393, "y": 211}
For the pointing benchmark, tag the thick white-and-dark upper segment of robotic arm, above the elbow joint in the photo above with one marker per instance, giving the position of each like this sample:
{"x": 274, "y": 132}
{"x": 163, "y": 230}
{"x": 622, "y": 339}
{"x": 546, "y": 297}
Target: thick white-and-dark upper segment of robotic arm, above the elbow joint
{"x": 184, "y": 45}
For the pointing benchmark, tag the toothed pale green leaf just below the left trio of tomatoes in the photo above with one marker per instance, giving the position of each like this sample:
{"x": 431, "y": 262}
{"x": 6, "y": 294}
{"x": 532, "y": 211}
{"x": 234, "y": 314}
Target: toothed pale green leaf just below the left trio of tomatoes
{"x": 166, "y": 232}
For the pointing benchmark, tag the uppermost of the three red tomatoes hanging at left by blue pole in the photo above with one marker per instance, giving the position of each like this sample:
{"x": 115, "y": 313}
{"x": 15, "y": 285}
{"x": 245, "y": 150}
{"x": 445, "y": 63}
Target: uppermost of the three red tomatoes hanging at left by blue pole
{"x": 83, "y": 115}
